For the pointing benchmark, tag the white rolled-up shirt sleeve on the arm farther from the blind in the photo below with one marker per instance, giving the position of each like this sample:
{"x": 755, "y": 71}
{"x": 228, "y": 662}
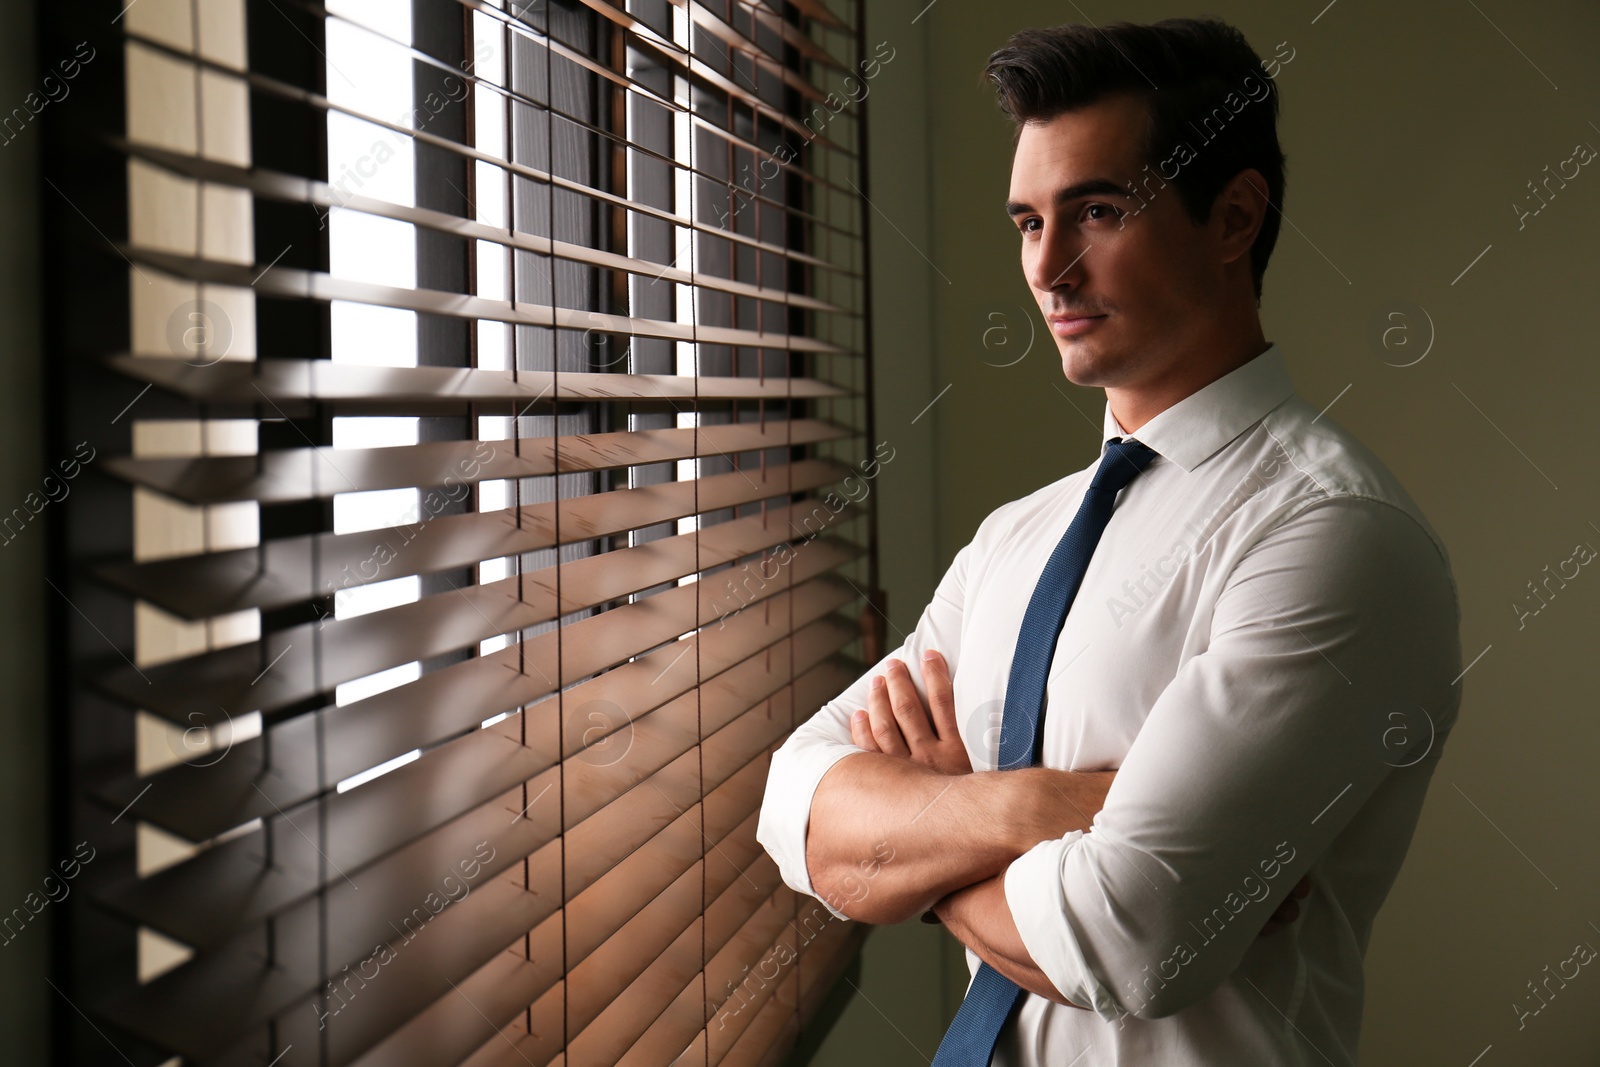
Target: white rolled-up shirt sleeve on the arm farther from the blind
{"x": 1334, "y": 639}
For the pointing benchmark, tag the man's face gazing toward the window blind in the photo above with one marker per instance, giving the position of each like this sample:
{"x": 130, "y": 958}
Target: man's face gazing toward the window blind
{"x": 1150, "y": 279}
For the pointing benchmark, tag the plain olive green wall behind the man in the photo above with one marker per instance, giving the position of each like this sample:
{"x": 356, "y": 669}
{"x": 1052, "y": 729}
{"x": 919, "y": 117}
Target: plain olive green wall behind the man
{"x": 1410, "y": 132}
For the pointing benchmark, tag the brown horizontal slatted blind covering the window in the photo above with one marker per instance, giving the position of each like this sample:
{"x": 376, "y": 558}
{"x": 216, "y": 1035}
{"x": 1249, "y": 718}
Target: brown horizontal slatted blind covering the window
{"x": 490, "y": 498}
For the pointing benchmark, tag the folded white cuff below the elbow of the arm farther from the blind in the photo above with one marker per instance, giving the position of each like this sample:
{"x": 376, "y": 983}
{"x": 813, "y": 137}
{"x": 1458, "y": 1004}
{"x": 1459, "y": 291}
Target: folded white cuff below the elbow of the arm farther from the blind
{"x": 1034, "y": 892}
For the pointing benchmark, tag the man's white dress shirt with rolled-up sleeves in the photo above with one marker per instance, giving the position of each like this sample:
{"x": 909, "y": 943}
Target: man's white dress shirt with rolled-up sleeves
{"x": 1266, "y": 649}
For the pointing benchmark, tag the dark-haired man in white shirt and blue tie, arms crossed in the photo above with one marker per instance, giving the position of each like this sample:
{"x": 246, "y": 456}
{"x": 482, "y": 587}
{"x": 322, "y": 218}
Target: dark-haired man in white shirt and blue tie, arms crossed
{"x": 1258, "y": 661}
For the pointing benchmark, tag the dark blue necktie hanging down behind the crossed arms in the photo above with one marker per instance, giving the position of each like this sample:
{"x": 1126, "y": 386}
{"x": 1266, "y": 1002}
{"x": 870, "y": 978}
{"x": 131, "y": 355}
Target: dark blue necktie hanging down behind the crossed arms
{"x": 993, "y": 997}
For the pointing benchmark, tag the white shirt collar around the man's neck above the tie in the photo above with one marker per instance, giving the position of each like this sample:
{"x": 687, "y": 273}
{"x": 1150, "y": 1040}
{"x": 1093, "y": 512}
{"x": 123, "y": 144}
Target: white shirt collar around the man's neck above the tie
{"x": 1196, "y": 428}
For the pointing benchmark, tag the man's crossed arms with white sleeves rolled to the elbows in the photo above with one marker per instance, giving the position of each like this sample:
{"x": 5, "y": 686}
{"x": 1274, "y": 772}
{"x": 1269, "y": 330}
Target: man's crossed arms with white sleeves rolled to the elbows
{"x": 1281, "y": 730}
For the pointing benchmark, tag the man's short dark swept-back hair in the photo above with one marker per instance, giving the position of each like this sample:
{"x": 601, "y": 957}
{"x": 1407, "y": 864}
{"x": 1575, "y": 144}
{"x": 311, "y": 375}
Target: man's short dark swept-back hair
{"x": 1183, "y": 70}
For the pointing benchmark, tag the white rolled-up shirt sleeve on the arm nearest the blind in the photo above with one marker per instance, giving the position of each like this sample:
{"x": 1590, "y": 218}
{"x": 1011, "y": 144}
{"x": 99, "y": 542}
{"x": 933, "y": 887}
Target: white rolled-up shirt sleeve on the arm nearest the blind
{"x": 825, "y": 740}
